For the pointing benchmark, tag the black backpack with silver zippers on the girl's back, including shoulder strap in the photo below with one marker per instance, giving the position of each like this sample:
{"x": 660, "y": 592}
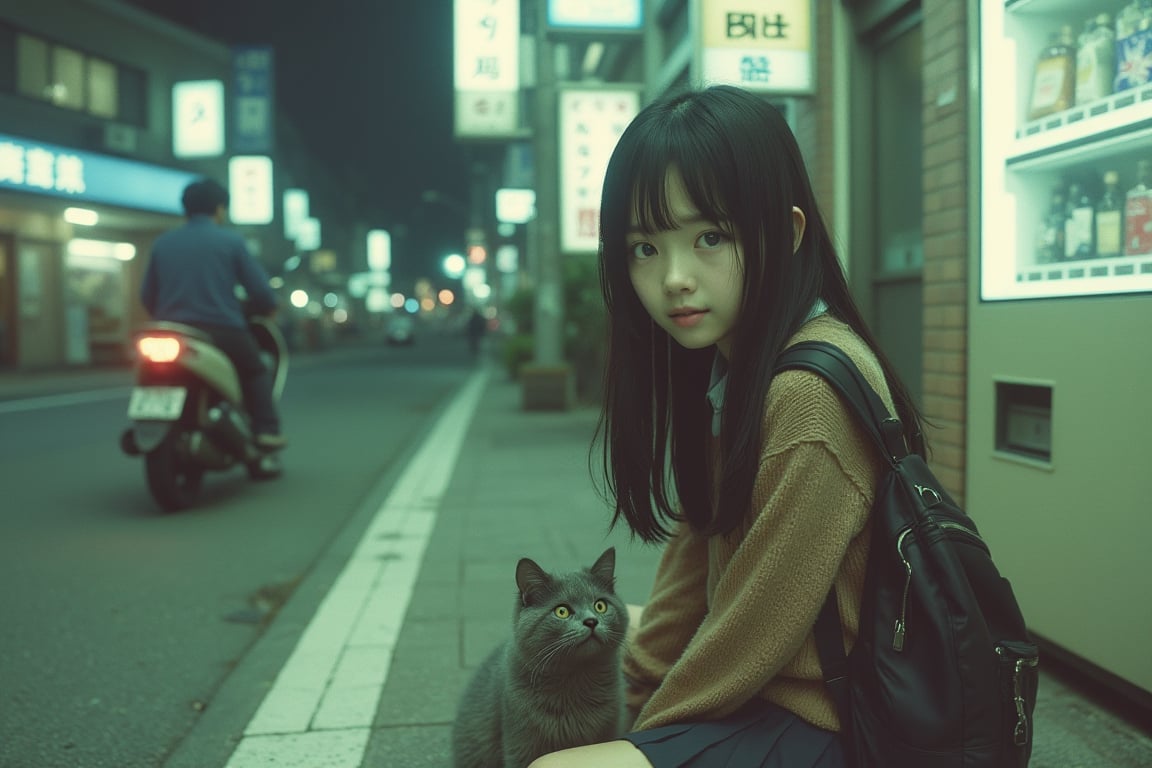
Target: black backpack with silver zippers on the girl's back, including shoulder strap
{"x": 944, "y": 674}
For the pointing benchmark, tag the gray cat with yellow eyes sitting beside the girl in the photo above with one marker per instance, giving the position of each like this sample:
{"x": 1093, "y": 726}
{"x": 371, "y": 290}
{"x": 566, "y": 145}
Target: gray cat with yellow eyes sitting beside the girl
{"x": 557, "y": 682}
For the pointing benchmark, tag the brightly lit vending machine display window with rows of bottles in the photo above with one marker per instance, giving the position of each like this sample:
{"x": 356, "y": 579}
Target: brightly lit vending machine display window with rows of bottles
{"x": 1066, "y": 158}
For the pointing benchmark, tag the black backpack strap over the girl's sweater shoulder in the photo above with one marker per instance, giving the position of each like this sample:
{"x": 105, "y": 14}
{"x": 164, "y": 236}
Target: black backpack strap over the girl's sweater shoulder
{"x": 839, "y": 370}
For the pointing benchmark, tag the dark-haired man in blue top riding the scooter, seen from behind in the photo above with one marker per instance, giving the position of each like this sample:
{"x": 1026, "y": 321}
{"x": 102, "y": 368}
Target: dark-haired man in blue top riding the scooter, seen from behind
{"x": 192, "y": 279}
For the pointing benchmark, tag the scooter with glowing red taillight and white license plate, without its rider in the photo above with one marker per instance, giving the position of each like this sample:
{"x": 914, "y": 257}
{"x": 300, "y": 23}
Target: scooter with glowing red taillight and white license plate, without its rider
{"x": 188, "y": 410}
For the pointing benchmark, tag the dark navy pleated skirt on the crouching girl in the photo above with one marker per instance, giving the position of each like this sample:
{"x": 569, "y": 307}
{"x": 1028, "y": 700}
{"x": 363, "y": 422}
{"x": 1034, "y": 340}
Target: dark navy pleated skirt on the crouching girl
{"x": 759, "y": 736}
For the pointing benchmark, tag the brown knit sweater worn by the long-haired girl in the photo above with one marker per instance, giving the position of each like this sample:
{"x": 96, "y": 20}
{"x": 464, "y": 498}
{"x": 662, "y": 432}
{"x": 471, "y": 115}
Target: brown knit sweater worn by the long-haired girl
{"x": 731, "y": 618}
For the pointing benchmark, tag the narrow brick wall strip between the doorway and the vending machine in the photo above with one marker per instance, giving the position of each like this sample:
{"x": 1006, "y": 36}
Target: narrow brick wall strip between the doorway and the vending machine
{"x": 946, "y": 237}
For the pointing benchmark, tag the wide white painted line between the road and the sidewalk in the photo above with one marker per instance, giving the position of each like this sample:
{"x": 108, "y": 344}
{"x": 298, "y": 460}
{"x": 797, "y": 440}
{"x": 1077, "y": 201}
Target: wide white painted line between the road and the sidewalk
{"x": 321, "y": 708}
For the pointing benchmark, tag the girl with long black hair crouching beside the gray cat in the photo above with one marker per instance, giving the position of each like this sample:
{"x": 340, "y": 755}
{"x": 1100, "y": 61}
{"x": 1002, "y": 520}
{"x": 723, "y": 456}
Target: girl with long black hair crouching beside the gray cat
{"x": 715, "y": 260}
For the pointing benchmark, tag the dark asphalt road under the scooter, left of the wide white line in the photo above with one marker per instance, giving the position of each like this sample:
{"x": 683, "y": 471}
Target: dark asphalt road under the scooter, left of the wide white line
{"x": 119, "y": 622}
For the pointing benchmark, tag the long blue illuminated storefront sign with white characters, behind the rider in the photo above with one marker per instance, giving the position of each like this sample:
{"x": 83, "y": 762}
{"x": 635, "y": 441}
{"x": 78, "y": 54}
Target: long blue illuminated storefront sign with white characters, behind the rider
{"x": 29, "y": 166}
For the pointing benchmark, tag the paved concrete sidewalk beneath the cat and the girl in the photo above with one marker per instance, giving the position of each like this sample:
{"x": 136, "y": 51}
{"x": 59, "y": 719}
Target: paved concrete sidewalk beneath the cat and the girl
{"x": 522, "y": 489}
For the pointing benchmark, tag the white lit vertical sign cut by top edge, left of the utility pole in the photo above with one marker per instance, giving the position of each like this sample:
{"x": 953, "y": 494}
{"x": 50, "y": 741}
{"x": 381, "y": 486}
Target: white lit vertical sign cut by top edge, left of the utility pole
{"x": 487, "y": 69}
